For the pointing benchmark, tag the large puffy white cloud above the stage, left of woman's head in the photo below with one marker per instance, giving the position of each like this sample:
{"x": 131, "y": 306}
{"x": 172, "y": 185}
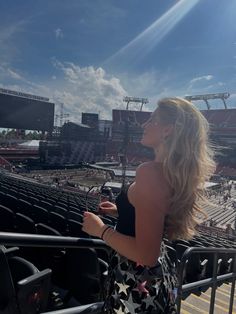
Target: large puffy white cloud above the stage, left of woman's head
{"x": 88, "y": 89}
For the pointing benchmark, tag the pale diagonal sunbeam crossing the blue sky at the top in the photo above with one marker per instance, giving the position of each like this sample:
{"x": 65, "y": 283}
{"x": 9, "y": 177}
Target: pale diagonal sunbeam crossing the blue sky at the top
{"x": 141, "y": 45}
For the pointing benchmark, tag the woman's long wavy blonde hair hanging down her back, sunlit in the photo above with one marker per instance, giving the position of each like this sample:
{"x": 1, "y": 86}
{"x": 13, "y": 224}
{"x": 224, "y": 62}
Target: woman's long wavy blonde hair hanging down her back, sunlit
{"x": 187, "y": 166}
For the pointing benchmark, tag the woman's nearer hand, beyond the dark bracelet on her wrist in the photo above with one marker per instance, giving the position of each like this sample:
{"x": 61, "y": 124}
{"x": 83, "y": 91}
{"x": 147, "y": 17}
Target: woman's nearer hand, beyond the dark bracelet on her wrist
{"x": 92, "y": 224}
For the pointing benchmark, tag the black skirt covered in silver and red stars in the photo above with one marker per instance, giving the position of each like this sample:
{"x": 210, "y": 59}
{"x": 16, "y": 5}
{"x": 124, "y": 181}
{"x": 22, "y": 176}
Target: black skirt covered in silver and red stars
{"x": 132, "y": 288}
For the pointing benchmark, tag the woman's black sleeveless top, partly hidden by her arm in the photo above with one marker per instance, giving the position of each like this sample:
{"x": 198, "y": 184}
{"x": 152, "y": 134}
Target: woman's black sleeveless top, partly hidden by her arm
{"x": 126, "y": 212}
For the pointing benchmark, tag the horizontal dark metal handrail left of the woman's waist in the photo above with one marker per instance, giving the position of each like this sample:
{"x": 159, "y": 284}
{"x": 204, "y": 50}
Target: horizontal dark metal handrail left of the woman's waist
{"x": 29, "y": 240}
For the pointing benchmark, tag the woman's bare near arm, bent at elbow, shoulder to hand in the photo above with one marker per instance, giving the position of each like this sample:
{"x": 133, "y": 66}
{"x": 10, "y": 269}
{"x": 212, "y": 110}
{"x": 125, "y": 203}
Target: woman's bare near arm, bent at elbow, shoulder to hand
{"x": 144, "y": 248}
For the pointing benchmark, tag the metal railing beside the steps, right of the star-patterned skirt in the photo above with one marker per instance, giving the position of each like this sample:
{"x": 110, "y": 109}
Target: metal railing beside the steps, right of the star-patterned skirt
{"x": 210, "y": 282}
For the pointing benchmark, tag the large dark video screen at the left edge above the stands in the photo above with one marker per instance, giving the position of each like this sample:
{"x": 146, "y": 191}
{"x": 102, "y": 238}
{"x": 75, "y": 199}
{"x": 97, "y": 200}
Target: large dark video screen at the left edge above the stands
{"x": 26, "y": 113}
